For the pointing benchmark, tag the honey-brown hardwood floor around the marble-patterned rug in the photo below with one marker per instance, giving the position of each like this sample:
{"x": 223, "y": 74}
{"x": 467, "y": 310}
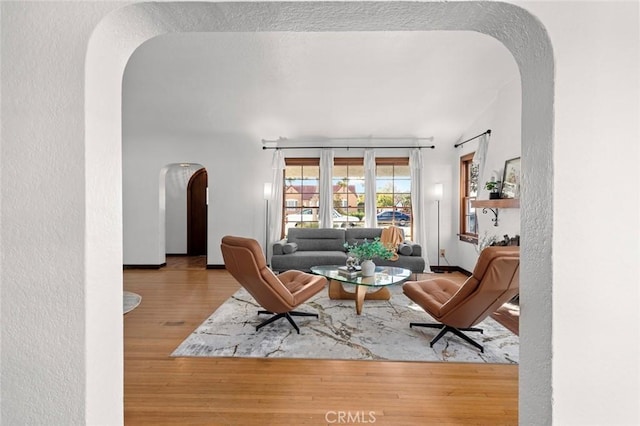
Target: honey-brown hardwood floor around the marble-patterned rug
{"x": 160, "y": 390}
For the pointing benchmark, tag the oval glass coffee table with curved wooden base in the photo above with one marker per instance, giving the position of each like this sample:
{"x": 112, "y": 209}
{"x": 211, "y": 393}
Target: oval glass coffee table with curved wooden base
{"x": 384, "y": 276}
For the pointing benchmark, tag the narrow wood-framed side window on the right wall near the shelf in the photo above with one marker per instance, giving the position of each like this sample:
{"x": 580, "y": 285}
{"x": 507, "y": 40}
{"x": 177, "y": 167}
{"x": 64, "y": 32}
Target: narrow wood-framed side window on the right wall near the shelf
{"x": 468, "y": 193}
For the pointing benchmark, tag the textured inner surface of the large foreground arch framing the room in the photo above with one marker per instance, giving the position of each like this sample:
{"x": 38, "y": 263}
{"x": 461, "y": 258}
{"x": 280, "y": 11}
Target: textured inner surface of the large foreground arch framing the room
{"x": 115, "y": 40}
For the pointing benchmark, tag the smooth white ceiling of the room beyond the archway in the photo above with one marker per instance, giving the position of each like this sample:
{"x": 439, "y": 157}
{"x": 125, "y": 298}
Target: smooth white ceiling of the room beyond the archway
{"x": 346, "y": 84}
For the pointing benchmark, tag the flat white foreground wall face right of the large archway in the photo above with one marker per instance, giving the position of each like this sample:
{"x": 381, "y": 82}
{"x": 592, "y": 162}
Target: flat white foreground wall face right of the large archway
{"x": 596, "y": 237}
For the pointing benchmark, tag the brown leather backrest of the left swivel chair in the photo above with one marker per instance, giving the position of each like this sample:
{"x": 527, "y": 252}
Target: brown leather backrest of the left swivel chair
{"x": 244, "y": 260}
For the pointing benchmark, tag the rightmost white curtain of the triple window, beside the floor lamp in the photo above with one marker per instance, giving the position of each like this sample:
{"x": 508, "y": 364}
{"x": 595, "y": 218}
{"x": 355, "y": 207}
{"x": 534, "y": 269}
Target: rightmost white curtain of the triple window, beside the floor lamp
{"x": 418, "y": 205}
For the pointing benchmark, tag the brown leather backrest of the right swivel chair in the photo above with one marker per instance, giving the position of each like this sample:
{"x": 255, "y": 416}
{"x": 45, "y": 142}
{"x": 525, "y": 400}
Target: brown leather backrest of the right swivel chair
{"x": 495, "y": 281}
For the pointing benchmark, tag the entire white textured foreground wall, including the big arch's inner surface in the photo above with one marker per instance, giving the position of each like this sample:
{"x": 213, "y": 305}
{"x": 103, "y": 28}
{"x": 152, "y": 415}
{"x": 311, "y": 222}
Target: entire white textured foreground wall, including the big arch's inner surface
{"x": 61, "y": 263}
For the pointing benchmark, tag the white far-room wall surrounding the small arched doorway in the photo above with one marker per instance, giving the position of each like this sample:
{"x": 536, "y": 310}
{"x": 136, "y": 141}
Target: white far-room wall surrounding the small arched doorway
{"x": 236, "y": 172}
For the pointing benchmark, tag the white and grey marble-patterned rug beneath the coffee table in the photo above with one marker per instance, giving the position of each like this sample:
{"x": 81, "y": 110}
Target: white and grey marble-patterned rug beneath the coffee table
{"x": 381, "y": 332}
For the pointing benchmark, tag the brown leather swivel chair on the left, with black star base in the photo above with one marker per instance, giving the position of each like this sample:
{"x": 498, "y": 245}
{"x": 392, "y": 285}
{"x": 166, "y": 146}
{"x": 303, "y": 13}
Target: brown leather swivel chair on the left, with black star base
{"x": 278, "y": 294}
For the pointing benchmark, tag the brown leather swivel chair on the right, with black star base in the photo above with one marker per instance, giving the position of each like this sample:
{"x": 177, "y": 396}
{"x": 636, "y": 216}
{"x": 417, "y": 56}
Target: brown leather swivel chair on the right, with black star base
{"x": 495, "y": 281}
